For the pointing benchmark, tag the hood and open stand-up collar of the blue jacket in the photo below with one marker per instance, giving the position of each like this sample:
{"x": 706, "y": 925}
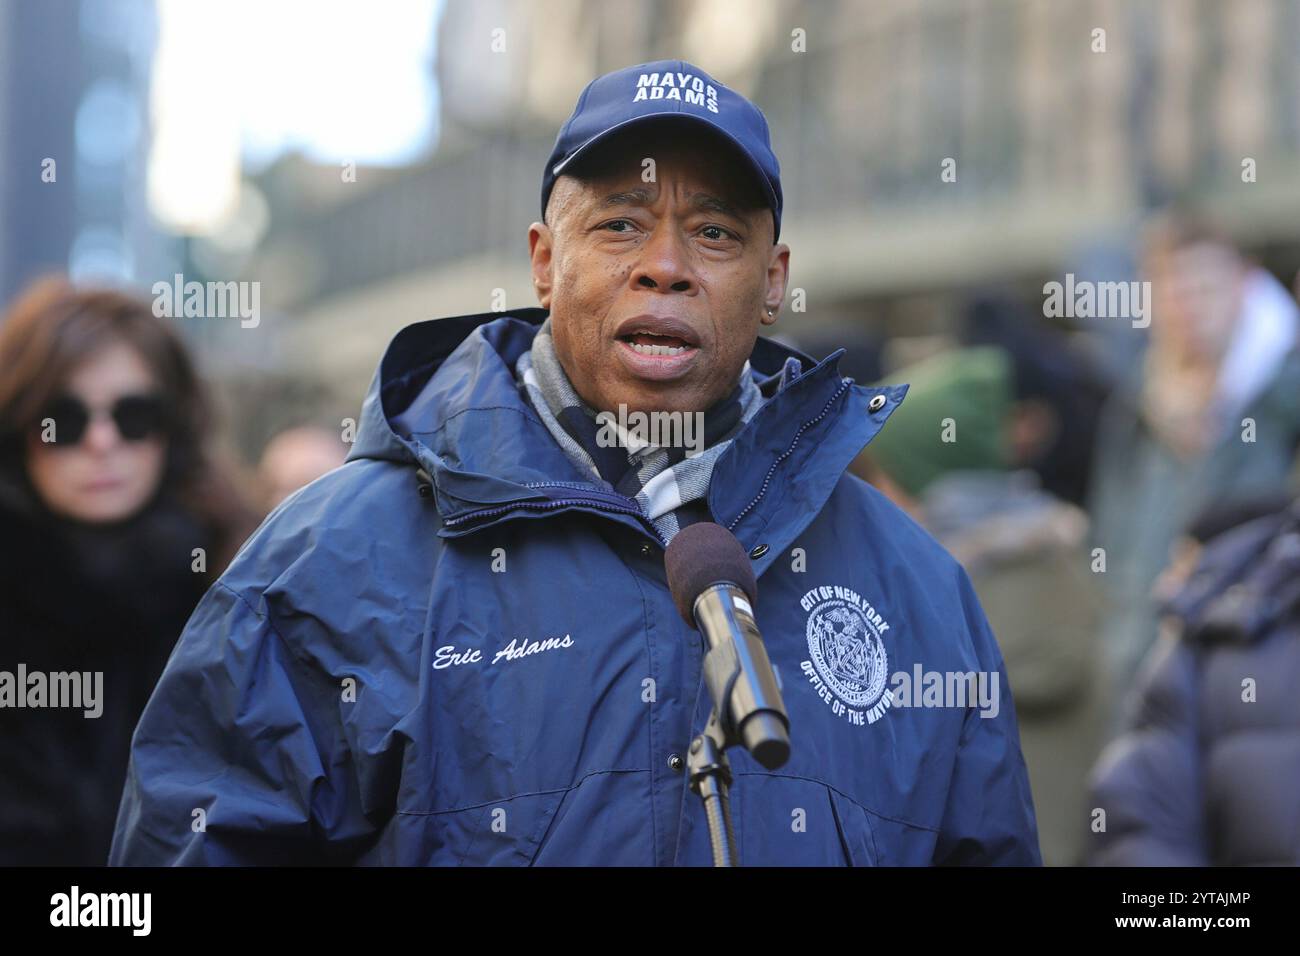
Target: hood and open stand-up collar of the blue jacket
{"x": 445, "y": 401}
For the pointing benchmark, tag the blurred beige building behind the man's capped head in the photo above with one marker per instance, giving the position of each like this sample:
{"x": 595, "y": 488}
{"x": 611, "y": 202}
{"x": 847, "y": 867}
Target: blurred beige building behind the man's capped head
{"x": 1063, "y": 123}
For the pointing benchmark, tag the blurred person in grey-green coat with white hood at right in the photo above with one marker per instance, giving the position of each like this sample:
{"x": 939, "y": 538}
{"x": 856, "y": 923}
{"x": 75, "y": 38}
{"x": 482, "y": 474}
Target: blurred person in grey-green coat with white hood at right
{"x": 1215, "y": 416}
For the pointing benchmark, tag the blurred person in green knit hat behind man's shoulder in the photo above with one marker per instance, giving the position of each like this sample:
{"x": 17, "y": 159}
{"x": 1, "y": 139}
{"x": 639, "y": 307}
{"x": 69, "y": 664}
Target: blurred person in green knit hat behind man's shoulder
{"x": 1025, "y": 553}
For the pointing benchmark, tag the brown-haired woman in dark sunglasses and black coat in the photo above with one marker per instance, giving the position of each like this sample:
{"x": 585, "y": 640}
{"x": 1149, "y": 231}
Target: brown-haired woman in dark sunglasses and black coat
{"x": 107, "y": 487}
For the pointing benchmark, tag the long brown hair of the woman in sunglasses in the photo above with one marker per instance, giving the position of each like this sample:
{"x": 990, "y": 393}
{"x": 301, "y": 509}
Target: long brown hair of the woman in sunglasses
{"x": 53, "y": 327}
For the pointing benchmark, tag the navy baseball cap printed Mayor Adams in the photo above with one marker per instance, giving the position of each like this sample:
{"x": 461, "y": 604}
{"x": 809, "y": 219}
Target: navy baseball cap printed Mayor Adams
{"x": 668, "y": 89}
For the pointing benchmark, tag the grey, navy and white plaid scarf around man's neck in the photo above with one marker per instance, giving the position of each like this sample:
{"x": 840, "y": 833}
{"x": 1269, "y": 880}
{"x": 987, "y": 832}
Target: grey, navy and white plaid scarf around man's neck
{"x": 661, "y": 479}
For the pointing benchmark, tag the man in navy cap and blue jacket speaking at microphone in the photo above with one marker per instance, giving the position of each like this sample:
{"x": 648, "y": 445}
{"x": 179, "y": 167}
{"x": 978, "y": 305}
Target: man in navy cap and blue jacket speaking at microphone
{"x": 461, "y": 648}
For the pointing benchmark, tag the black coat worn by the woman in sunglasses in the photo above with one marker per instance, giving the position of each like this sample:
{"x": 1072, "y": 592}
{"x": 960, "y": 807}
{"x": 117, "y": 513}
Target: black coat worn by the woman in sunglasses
{"x": 84, "y": 599}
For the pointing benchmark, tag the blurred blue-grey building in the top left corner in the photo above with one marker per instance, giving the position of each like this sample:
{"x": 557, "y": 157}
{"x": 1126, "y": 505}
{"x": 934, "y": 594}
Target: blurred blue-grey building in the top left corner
{"x": 75, "y": 83}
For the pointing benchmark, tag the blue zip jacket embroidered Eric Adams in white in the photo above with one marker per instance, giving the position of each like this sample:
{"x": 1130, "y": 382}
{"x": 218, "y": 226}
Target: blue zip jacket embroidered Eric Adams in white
{"x": 456, "y": 650}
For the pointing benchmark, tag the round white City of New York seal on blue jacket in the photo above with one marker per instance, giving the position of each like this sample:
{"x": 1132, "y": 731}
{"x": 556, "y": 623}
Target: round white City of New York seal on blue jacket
{"x": 848, "y": 664}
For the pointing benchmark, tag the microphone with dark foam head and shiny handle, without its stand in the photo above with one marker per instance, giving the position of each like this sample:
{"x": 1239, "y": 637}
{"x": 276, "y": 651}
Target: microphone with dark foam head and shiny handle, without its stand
{"x": 714, "y": 589}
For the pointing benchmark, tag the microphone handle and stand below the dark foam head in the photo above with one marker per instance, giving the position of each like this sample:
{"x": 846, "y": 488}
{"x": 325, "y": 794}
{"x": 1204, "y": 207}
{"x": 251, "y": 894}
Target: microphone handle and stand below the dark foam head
{"x": 748, "y": 711}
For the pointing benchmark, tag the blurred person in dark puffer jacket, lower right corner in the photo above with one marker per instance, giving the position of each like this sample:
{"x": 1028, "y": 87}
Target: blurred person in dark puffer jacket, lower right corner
{"x": 1206, "y": 773}
